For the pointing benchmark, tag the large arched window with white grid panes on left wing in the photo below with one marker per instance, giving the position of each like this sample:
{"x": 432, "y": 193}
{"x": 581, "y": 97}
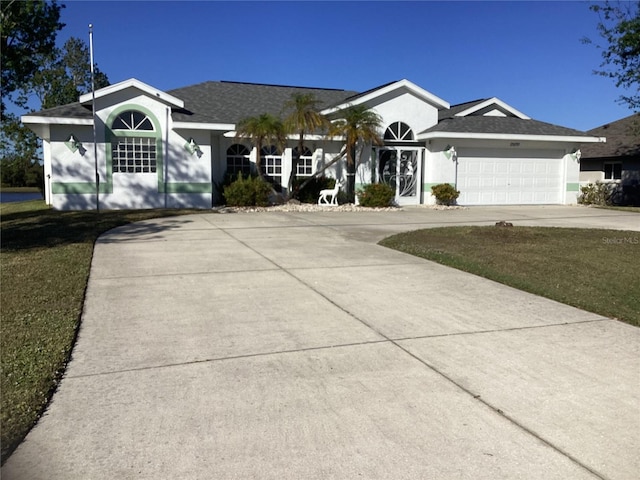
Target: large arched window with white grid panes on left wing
{"x": 133, "y": 150}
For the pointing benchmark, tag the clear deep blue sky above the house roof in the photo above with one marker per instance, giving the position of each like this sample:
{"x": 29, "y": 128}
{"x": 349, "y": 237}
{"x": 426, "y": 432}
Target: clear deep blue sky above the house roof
{"x": 528, "y": 54}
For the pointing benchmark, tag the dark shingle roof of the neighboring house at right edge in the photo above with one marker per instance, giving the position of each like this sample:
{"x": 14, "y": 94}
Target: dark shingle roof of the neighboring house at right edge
{"x": 623, "y": 139}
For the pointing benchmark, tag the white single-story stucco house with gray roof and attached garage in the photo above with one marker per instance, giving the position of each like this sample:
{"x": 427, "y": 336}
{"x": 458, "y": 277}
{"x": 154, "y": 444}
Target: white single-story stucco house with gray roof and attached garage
{"x": 172, "y": 149}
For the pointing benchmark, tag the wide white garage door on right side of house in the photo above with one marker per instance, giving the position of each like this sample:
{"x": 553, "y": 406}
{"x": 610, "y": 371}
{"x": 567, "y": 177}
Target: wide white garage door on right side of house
{"x": 498, "y": 177}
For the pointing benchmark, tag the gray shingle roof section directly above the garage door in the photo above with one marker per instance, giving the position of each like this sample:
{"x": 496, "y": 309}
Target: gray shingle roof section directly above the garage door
{"x": 506, "y": 125}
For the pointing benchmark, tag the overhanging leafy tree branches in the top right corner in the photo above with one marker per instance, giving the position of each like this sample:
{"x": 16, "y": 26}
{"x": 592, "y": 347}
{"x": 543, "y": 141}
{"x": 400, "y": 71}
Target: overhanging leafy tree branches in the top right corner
{"x": 619, "y": 26}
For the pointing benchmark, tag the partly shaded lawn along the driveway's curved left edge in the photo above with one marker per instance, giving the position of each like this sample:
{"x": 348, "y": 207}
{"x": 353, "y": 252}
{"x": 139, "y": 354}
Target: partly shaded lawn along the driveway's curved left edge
{"x": 44, "y": 267}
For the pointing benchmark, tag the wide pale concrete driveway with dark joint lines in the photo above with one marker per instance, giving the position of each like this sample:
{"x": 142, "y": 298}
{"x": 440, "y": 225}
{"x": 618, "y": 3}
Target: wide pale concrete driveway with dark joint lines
{"x": 290, "y": 346}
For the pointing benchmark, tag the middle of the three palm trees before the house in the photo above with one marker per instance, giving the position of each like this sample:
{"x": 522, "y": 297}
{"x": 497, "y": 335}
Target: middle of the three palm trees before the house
{"x": 303, "y": 118}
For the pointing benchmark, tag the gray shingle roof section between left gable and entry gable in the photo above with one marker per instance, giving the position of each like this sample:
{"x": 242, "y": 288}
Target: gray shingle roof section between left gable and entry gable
{"x": 230, "y": 102}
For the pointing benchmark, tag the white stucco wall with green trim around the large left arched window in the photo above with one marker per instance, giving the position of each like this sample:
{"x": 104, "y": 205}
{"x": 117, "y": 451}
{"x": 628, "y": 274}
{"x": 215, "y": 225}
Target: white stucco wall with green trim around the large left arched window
{"x": 182, "y": 179}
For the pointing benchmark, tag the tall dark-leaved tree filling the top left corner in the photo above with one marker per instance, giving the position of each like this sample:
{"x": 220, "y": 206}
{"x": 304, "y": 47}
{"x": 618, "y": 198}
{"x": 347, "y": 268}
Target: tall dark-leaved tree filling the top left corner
{"x": 29, "y": 31}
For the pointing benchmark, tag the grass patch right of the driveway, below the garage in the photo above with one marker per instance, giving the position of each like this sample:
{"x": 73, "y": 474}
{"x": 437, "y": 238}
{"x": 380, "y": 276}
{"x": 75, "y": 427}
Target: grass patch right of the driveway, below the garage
{"x": 596, "y": 270}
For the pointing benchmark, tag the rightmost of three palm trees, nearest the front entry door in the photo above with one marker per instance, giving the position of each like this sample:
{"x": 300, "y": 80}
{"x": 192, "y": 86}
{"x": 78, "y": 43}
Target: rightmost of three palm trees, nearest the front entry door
{"x": 357, "y": 125}
